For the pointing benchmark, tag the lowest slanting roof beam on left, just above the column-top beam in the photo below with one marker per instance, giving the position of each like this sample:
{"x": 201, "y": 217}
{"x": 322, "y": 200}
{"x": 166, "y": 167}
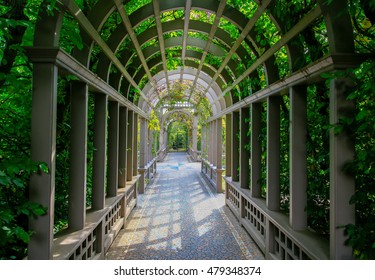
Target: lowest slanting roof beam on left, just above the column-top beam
{"x": 93, "y": 33}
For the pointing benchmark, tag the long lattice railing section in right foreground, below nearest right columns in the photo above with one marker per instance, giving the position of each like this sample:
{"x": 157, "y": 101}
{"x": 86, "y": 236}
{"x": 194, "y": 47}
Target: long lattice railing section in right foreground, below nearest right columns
{"x": 271, "y": 230}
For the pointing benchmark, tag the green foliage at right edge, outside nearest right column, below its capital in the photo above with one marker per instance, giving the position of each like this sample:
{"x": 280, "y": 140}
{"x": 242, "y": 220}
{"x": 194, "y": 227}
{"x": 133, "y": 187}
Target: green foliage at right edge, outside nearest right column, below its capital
{"x": 362, "y": 128}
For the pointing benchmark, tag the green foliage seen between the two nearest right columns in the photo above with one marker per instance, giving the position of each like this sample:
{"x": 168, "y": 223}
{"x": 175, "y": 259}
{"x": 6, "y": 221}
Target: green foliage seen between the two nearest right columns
{"x": 317, "y": 140}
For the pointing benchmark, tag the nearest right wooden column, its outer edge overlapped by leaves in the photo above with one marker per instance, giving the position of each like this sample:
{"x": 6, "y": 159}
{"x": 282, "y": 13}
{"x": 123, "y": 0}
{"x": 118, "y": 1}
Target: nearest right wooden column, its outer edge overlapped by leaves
{"x": 342, "y": 185}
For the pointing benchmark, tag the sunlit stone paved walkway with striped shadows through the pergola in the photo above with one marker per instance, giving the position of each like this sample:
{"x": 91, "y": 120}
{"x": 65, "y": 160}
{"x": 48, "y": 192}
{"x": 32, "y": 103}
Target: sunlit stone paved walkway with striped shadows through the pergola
{"x": 180, "y": 218}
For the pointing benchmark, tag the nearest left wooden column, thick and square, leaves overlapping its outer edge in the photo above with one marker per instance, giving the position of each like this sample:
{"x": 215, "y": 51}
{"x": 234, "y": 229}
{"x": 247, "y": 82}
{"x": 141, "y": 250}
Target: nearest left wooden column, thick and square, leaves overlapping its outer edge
{"x": 43, "y": 149}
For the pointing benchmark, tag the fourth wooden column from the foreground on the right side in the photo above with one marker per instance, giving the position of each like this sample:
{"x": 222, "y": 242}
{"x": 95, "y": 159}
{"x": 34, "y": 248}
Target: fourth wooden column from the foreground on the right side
{"x": 256, "y": 150}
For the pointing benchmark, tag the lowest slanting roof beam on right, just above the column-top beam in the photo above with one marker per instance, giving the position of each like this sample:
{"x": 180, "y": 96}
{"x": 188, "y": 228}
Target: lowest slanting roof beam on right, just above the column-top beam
{"x": 294, "y": 31}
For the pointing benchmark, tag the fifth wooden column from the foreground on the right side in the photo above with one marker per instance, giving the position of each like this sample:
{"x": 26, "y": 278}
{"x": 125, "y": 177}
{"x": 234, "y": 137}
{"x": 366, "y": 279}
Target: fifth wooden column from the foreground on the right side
{"x": 244, "y": 153}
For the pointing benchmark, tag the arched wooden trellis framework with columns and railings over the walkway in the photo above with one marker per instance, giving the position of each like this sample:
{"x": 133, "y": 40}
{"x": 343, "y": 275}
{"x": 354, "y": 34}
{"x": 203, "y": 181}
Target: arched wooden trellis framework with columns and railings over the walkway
{"x": 142, "y": 66}
